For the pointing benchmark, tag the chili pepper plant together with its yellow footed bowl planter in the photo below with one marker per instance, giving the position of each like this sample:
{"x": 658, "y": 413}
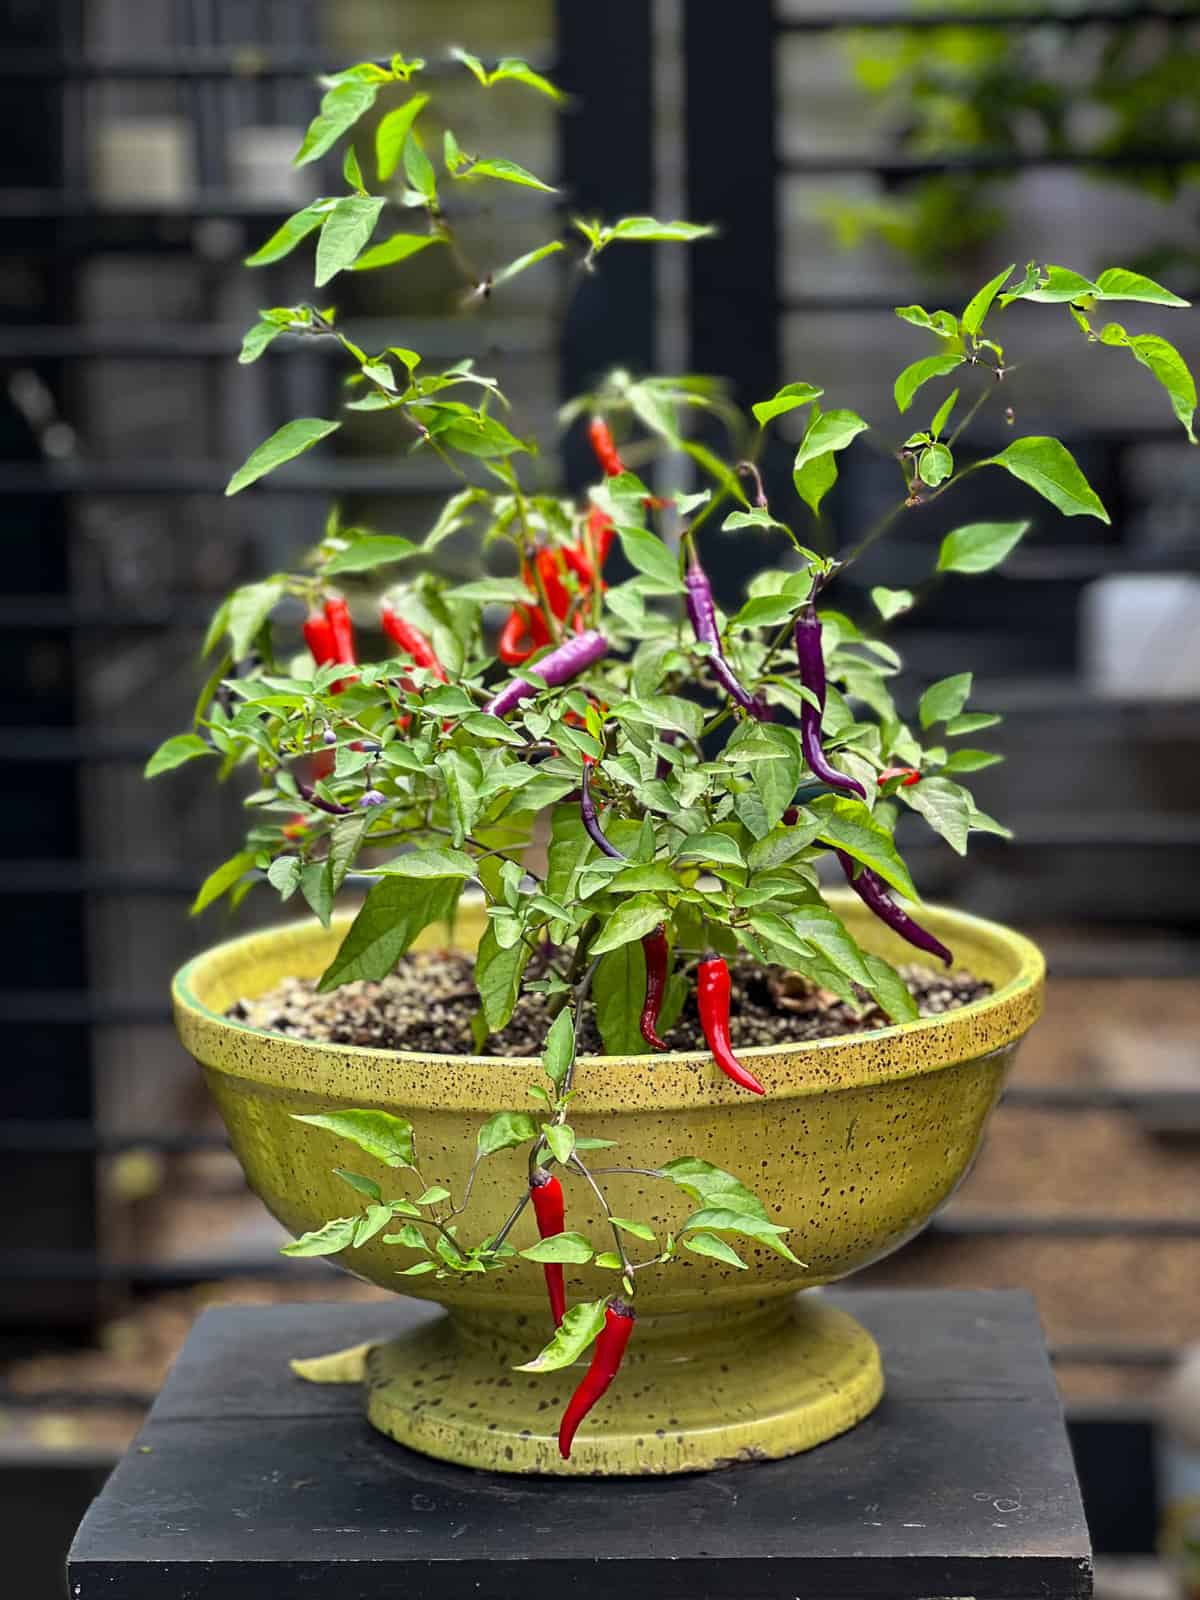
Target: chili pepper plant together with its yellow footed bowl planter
{"x": 596, "y": 1058}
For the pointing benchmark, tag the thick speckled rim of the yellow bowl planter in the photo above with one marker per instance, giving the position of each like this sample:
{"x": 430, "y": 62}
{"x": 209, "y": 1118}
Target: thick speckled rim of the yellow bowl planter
{"x": 678, "y": 1079}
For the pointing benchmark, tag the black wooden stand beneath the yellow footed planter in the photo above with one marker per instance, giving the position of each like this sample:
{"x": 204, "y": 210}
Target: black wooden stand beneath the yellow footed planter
{"x": 252, "y": 1486}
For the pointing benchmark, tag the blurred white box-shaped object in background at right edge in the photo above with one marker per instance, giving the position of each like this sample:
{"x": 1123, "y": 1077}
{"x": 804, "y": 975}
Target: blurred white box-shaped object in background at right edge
{"x": 1140, "y": 636}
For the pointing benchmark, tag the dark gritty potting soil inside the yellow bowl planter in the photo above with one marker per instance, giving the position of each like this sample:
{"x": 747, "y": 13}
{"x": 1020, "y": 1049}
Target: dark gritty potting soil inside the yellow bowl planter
{"x": 430, "y": 1001}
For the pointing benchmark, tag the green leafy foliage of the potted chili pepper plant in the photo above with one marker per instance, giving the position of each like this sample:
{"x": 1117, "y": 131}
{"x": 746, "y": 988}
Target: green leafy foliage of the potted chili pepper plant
{"x": 407, "y": 775}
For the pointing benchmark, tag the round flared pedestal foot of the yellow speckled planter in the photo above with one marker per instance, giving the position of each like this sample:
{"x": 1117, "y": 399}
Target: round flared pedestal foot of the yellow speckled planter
{"x": 695, "y": 1393}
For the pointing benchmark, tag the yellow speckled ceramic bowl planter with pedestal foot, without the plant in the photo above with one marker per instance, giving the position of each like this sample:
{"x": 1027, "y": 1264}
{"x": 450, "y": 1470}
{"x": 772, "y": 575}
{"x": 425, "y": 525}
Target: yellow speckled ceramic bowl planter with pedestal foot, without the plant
{"x": 855, "y": 1146}
